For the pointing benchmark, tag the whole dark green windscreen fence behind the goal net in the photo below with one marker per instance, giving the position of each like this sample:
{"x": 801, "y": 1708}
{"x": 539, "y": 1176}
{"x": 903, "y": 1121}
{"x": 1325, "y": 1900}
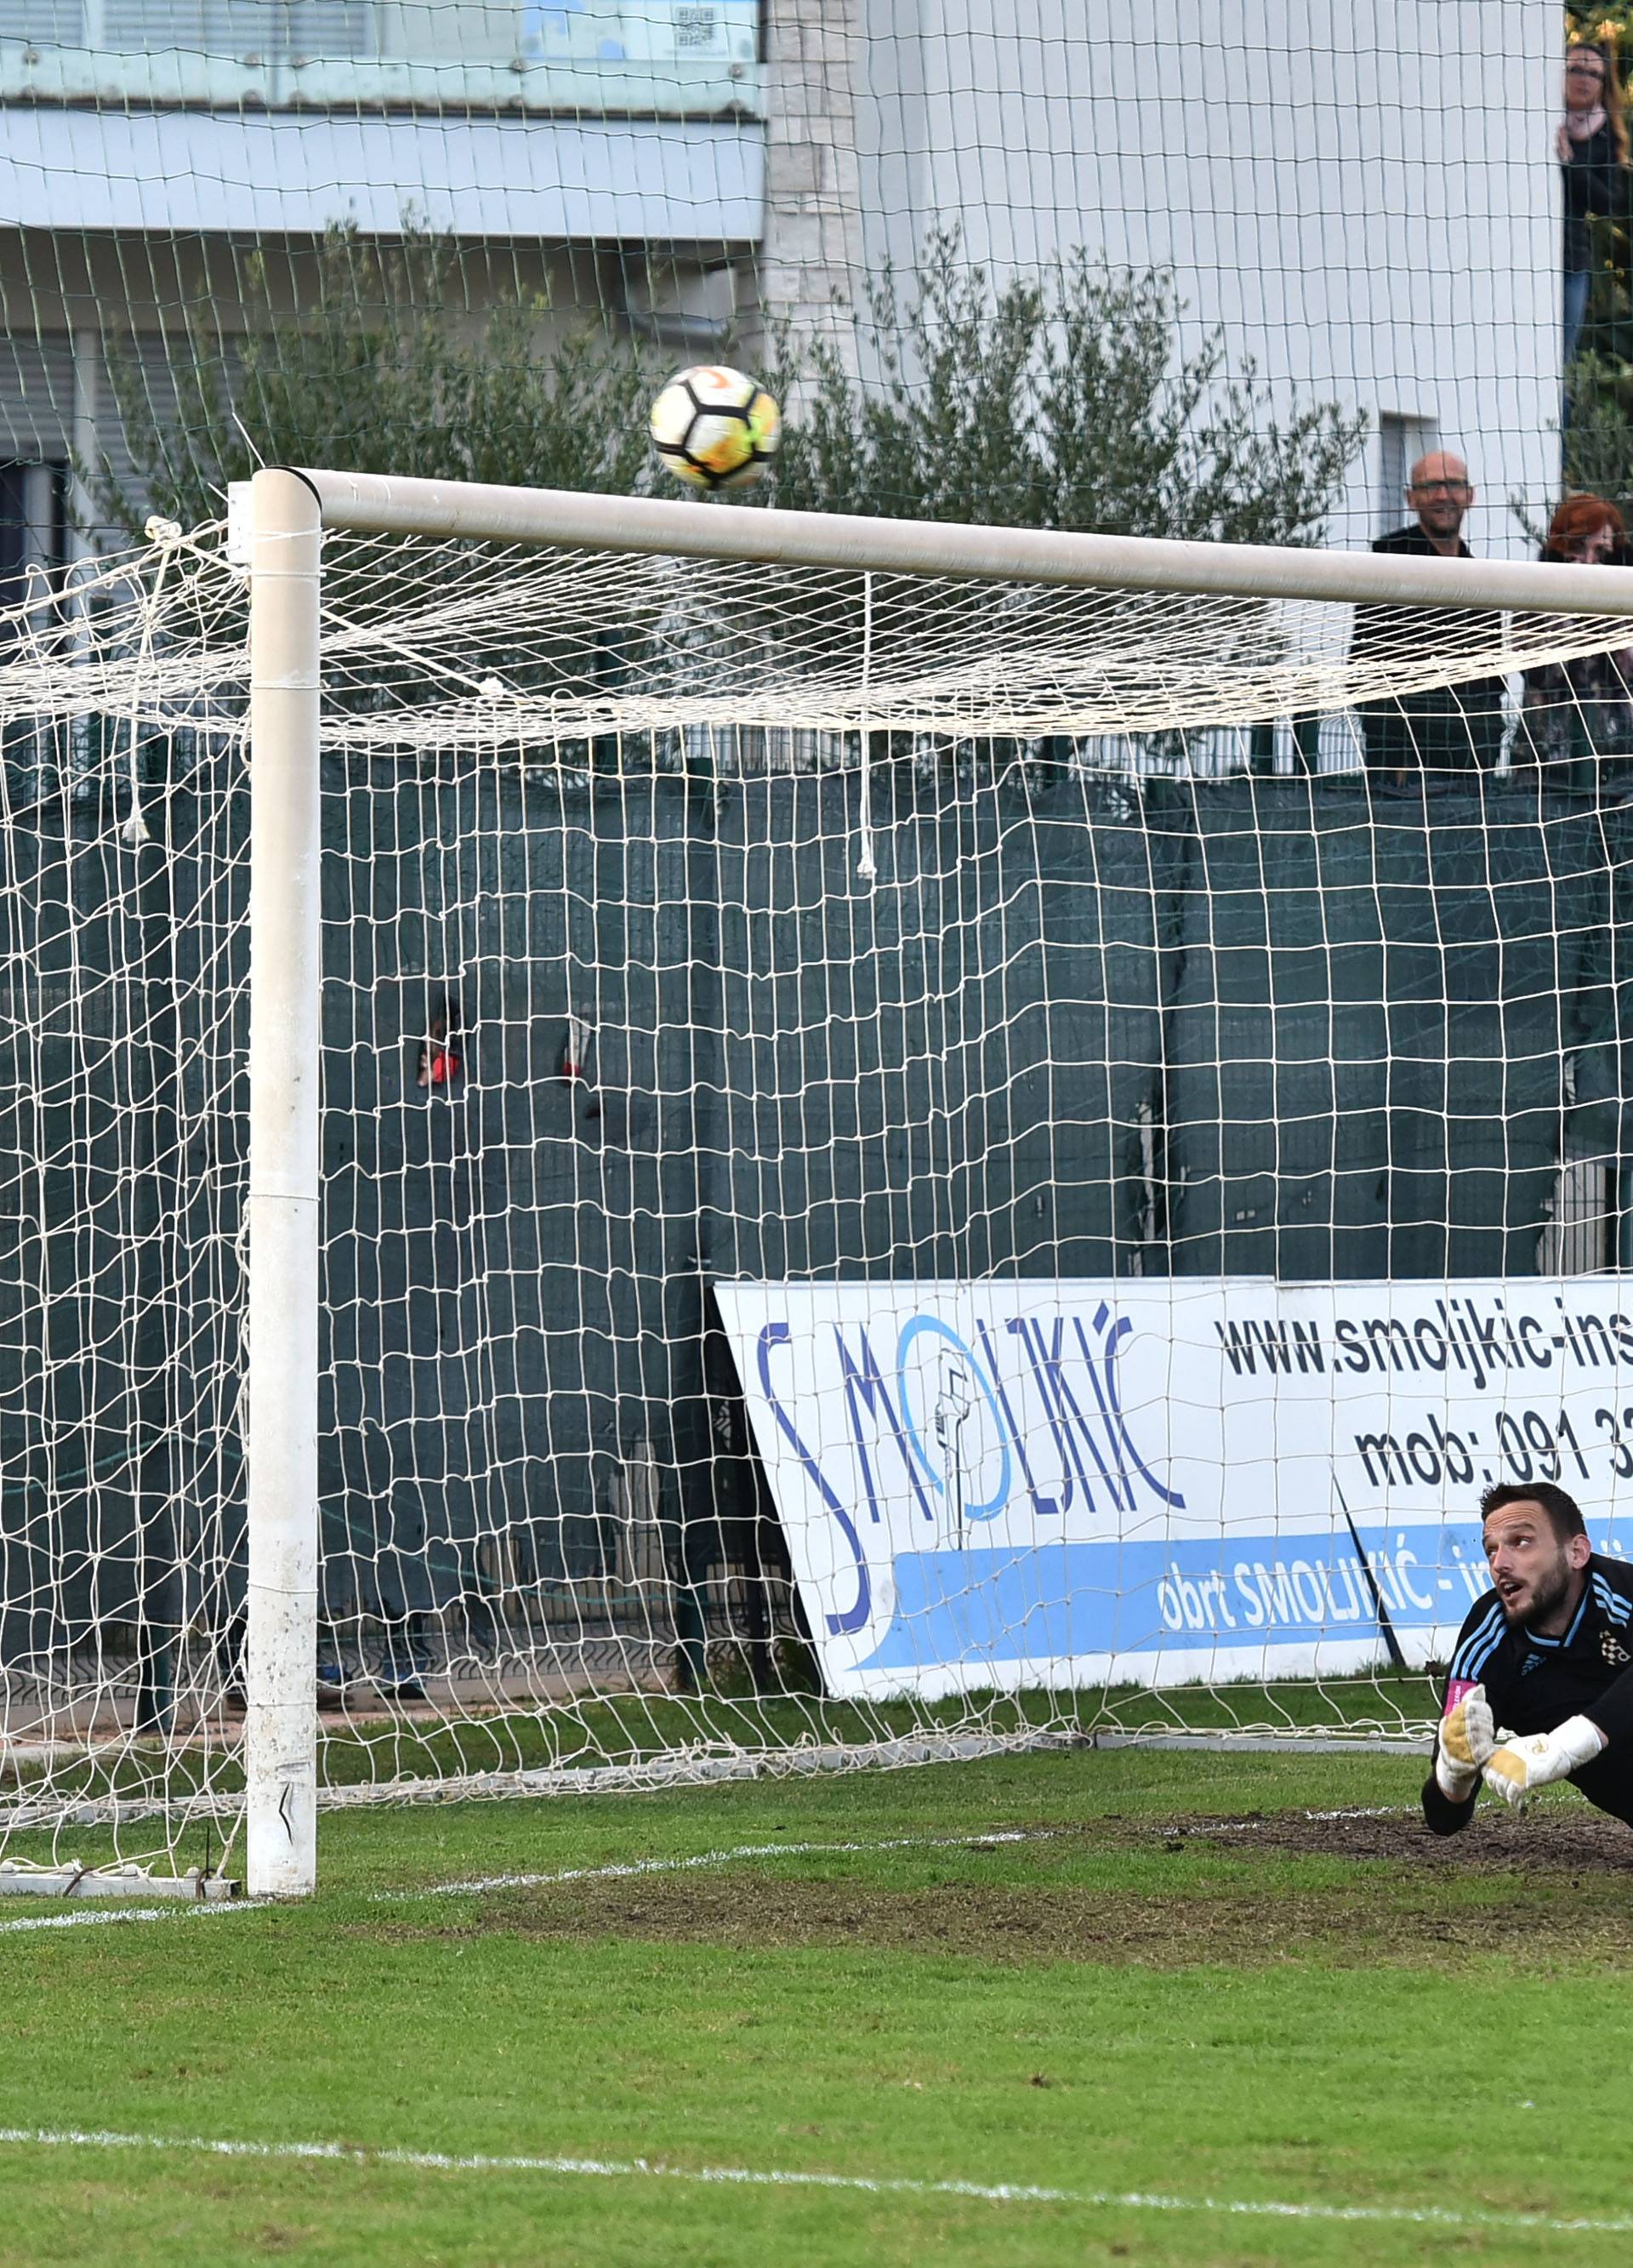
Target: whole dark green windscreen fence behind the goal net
{"x": 1072, "y": 1029}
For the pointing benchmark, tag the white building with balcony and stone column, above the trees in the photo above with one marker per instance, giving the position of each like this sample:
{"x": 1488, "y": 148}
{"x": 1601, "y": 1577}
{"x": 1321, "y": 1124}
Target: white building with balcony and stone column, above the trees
{"x": 1364, "y": 201}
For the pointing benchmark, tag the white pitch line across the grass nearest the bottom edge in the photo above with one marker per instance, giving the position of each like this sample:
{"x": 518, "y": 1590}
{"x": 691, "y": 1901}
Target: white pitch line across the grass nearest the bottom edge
{"x": 611, "y": 2169}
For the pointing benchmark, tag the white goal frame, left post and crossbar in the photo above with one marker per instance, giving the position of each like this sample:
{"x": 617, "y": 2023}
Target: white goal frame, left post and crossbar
{"x": 291, "y": 511}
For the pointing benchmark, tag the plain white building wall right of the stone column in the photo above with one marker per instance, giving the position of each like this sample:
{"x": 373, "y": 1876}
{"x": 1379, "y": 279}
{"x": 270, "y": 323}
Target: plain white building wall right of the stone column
{"x": 1360, "y": 194}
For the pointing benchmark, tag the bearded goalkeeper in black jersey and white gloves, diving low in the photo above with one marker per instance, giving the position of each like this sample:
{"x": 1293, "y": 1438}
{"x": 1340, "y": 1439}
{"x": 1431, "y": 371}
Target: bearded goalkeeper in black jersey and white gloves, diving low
{"x": 1541, "y": 1682}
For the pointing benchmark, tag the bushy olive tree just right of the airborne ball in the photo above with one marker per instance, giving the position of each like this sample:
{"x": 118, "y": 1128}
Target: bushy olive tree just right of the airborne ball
{"x": 1056, "y": 400}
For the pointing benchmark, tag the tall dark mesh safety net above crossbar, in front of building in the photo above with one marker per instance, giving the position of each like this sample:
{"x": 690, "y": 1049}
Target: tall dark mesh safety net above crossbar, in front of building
{"x": 468, "y": 242}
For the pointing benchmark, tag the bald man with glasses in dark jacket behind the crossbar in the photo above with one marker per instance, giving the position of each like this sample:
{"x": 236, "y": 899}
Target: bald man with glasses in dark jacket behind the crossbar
{"x": 1446, "y": 729}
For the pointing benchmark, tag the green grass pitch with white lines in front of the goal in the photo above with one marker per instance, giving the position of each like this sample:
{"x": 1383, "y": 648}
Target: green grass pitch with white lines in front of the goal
{"x": 1208, "y": 2026}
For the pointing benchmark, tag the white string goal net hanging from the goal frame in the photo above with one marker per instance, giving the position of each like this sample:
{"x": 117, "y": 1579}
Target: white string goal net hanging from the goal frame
{"x": 911, "y": 1162}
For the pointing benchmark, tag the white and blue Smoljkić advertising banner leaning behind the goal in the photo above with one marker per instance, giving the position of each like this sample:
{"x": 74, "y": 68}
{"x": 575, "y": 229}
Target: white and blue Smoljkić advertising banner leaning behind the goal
{"x": 1151, "y": 1482}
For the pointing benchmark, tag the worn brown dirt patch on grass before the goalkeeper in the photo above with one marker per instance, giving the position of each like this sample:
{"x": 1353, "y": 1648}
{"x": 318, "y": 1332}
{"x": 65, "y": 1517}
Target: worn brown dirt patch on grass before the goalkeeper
{"x": 1521, "y": 1879}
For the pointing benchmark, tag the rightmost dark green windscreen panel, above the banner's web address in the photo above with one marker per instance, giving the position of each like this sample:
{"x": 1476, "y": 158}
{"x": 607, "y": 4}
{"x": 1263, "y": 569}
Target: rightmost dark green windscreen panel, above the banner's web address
{"x": 1385, "y": 1024}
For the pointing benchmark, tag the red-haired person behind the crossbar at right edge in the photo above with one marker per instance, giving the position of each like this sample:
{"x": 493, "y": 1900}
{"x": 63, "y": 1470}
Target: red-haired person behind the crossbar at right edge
{"x": 1577, "y": 716}
